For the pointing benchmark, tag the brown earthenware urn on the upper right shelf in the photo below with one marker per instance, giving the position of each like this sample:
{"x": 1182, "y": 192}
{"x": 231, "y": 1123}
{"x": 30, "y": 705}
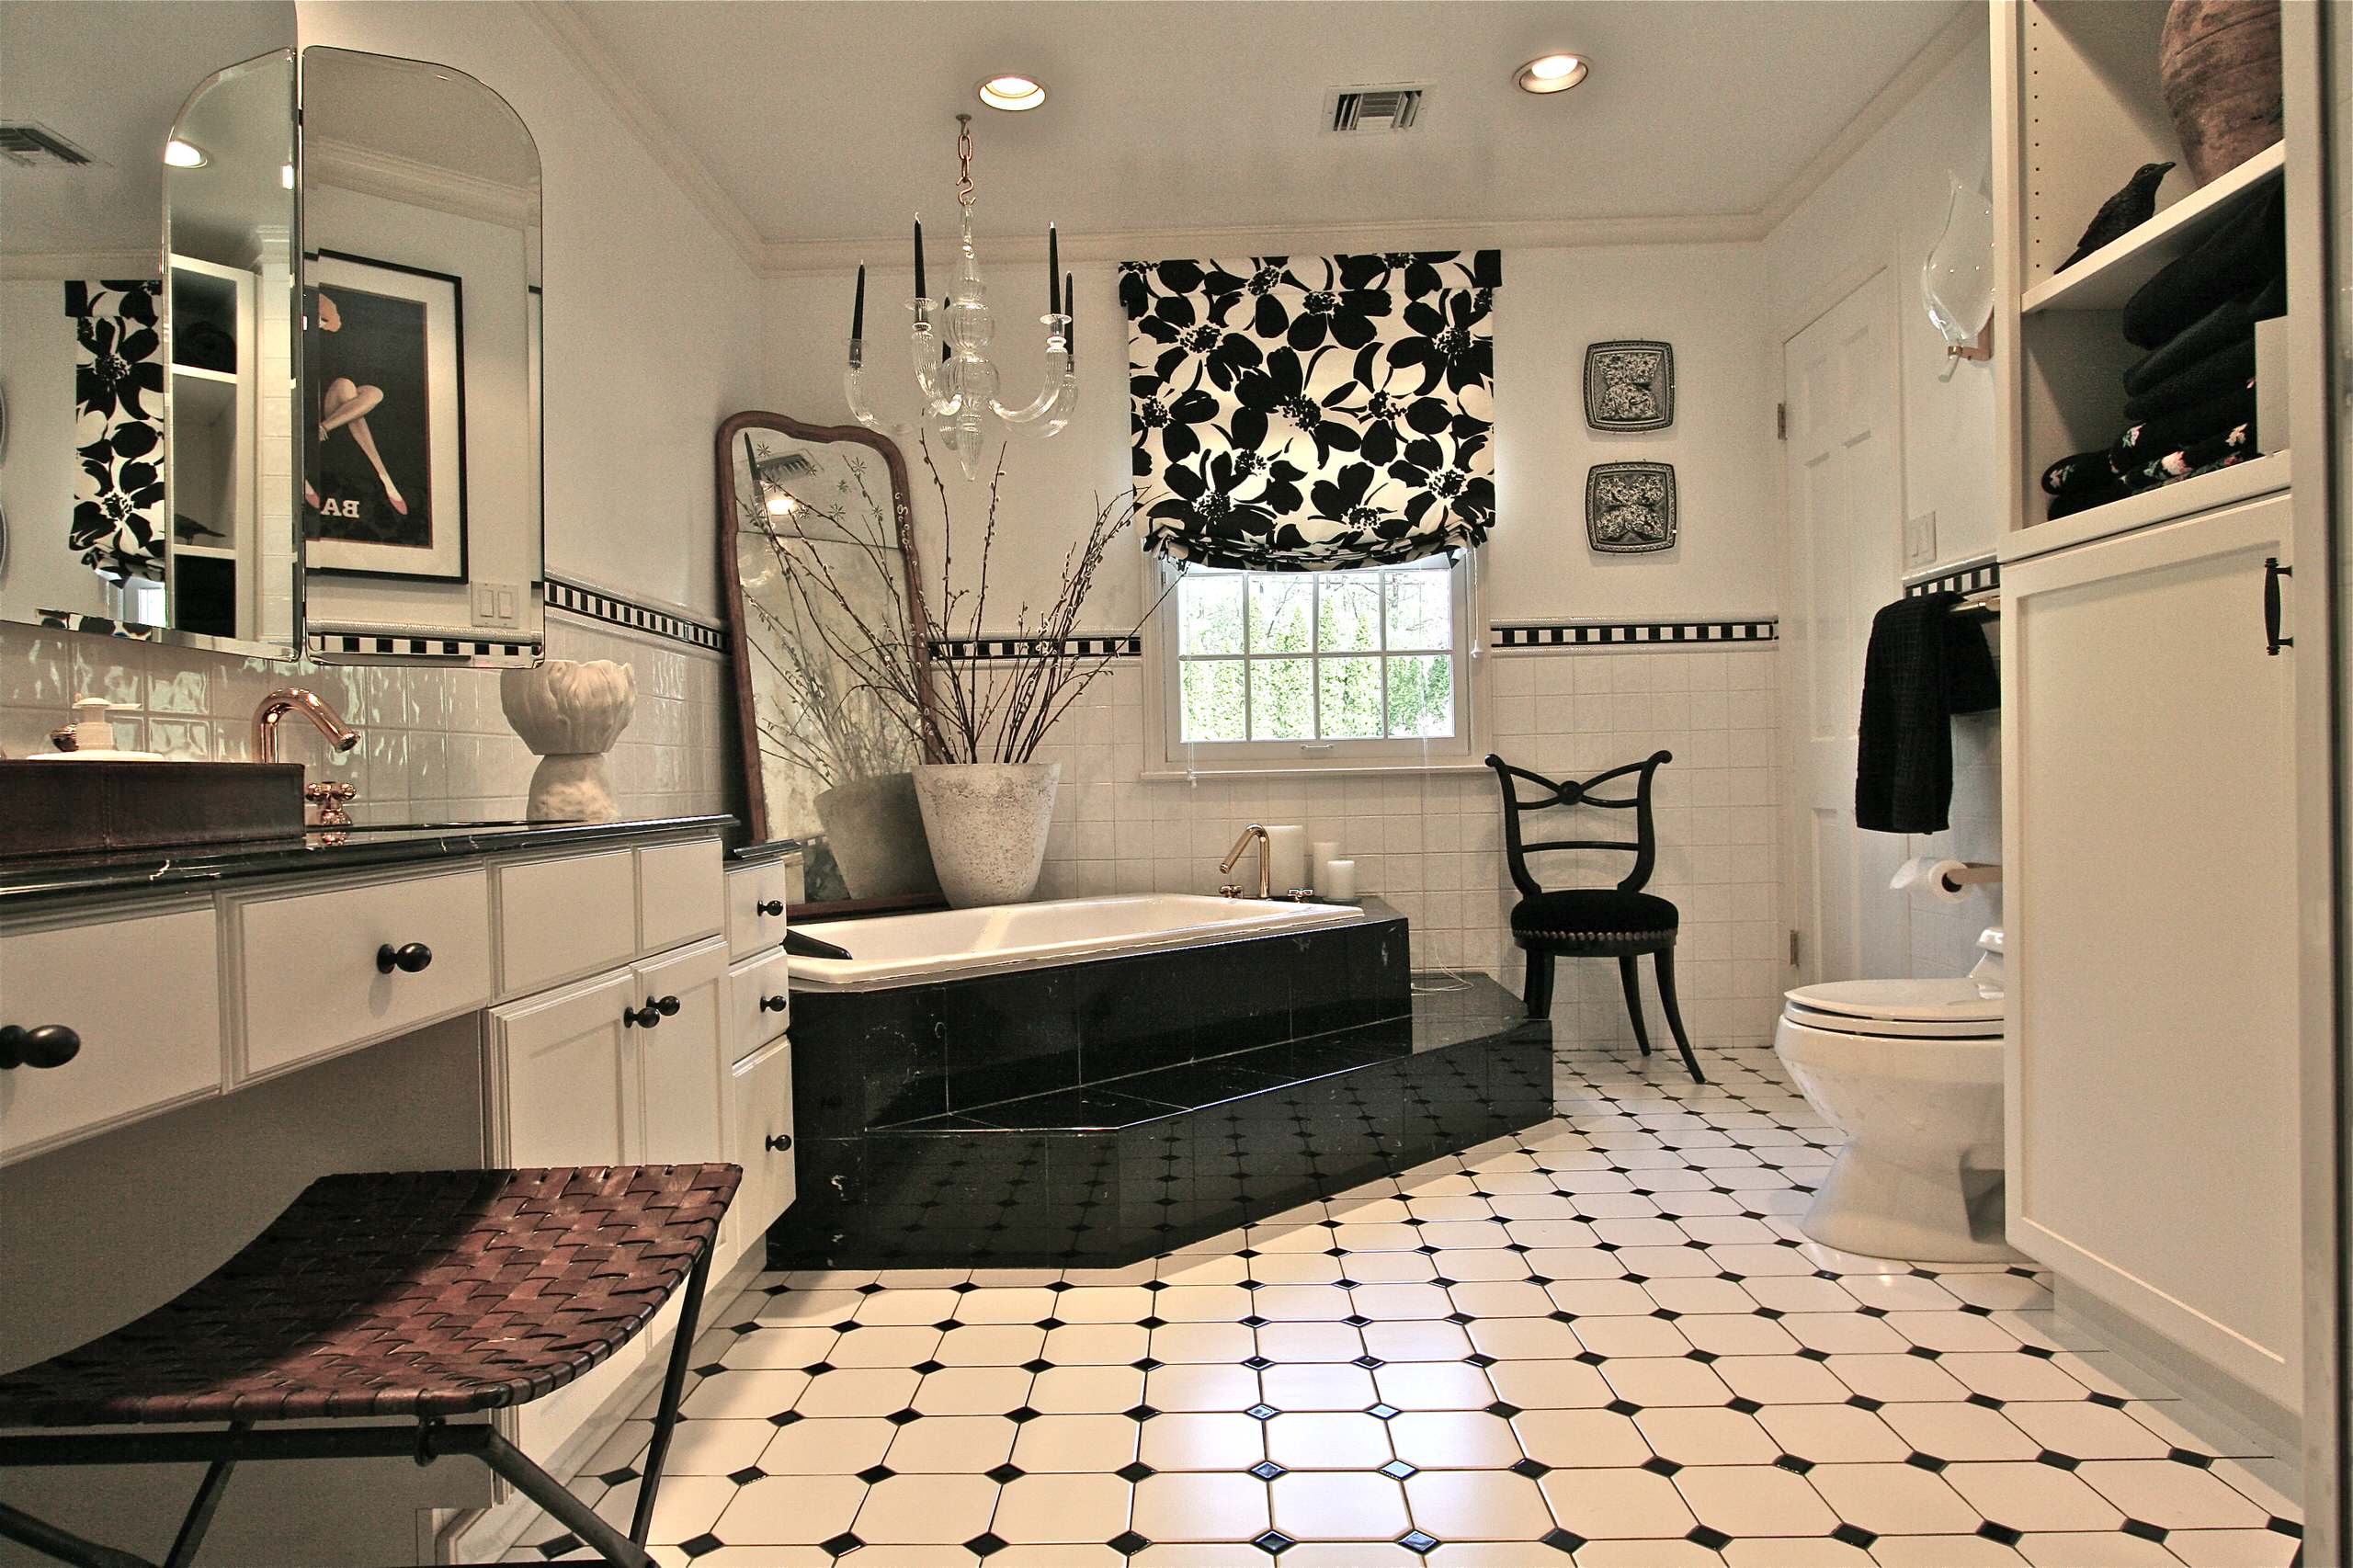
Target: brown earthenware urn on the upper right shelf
{"x": 2220, "y": 67}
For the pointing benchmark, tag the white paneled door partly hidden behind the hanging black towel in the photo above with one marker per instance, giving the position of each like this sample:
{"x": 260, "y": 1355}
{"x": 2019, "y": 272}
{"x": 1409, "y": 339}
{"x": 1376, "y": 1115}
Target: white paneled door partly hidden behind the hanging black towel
{"x": 1846, "y": 526}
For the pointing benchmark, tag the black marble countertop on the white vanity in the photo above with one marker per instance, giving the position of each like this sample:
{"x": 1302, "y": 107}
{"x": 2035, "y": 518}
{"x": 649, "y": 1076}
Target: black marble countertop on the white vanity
{"x": 32, "y": 879}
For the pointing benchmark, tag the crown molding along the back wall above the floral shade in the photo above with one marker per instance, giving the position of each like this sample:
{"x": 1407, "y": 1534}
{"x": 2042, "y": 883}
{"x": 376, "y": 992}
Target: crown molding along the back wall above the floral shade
{"x": 787, "y": 258}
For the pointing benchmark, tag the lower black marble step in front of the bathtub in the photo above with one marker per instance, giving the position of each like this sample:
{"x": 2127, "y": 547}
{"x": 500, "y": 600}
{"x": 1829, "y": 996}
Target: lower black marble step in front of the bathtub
{"x": 1107, "y": 1174}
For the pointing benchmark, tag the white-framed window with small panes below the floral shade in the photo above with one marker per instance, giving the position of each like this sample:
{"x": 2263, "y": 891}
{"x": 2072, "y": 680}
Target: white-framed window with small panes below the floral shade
{"x": 1288, "y": 667}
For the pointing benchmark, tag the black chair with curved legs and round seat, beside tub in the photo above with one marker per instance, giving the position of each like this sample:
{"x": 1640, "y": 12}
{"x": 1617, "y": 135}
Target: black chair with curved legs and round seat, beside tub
{"x": 1594, "y": 922}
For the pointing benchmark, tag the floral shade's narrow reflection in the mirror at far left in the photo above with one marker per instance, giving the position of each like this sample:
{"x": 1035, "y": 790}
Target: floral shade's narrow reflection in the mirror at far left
{"x": 119, "y": 496}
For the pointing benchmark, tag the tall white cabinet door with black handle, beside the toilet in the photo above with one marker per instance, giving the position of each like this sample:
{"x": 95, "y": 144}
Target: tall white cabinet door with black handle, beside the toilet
{"x": 2152, "y": 884}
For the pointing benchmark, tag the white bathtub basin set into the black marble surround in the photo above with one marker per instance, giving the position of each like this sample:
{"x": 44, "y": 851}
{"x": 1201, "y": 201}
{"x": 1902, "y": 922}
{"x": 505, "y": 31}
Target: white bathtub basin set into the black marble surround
{"x": 954, "y": 943}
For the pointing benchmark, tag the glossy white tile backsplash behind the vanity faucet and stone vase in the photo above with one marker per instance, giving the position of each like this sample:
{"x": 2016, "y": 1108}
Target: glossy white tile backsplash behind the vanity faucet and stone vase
{"x": 434, "y": 740}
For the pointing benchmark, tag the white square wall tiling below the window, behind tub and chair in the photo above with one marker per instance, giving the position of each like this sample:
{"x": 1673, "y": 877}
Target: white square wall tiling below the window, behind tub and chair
{"x": 1432, "y": 844}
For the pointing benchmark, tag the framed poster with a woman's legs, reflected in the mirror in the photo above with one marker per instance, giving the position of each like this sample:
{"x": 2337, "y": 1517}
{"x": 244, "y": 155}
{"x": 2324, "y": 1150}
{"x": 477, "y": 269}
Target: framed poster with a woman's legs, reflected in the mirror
{"x": 385, "y": 481}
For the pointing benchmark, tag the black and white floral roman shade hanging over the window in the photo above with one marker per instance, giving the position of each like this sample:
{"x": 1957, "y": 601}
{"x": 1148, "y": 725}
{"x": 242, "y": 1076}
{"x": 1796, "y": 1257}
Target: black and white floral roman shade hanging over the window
{"x": 1312, "y": 413}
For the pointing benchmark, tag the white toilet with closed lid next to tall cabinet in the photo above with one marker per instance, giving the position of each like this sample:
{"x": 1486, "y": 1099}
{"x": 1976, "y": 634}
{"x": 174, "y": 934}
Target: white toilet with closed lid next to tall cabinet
{"x": 1912, "y": 1072}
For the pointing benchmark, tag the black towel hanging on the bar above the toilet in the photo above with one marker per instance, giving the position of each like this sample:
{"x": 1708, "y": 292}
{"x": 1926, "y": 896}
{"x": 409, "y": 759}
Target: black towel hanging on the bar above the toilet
{"x": 1924, "y": 667}
